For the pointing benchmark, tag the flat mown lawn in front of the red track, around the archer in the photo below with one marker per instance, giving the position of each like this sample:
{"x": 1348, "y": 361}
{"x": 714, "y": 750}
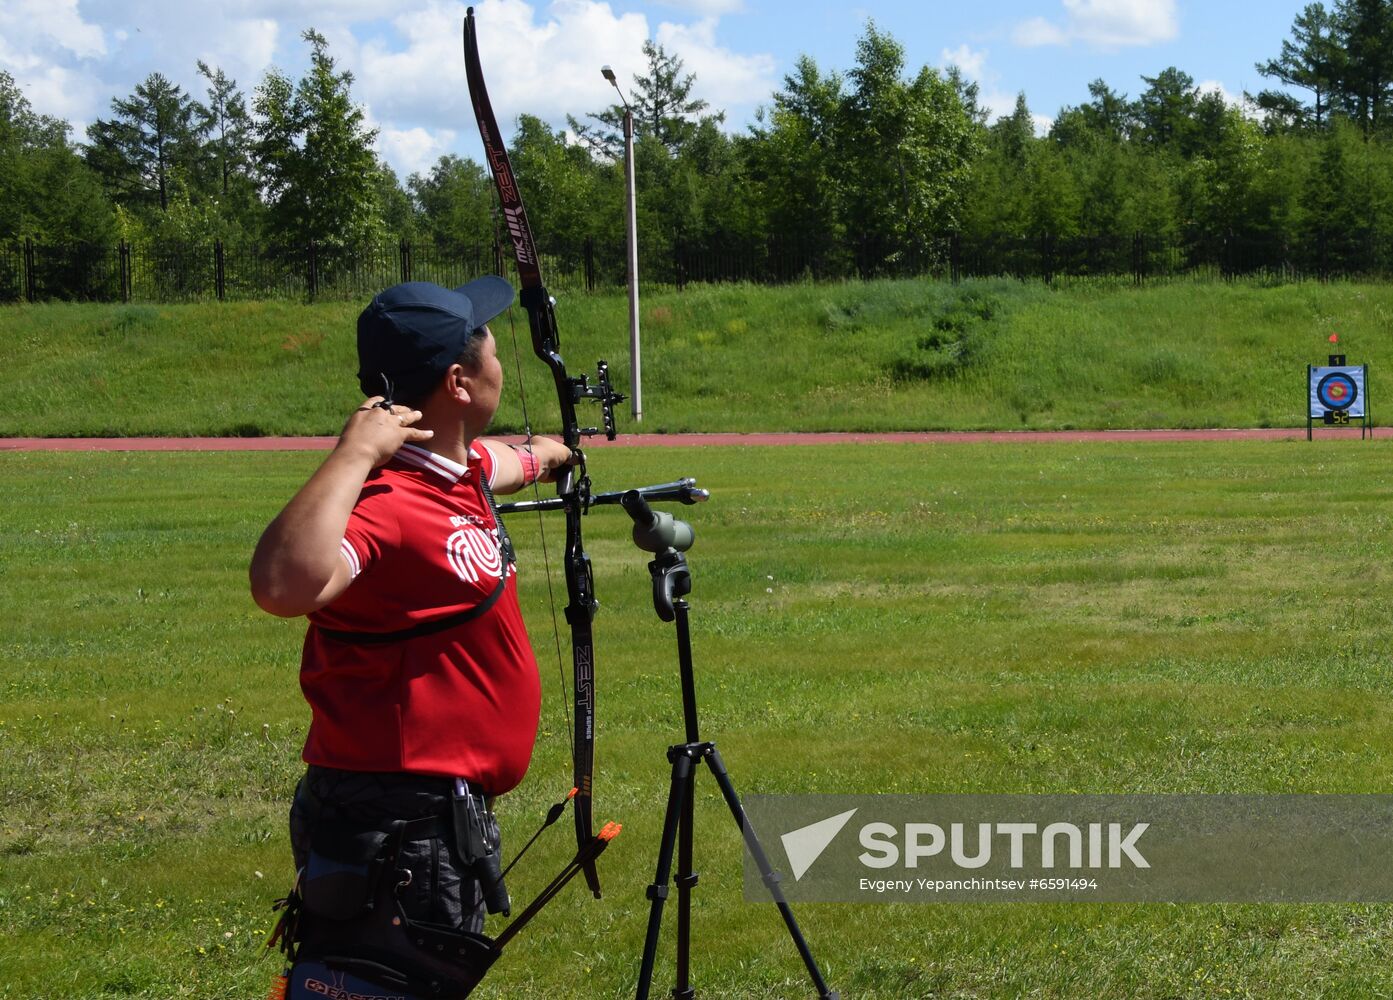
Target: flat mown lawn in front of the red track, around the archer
{"x": 991, "y": 619}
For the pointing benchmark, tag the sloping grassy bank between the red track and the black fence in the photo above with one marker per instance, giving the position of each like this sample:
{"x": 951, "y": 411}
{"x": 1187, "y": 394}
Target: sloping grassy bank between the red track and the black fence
{"x": 884, "y": 356}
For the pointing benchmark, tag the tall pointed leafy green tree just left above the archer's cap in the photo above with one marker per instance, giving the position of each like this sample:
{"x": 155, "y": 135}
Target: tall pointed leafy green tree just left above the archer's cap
{"x": 316, "y": 159}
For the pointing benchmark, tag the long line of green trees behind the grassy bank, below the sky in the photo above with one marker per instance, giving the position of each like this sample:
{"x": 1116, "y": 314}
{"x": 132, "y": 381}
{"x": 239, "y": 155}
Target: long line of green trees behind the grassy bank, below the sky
{"x": 871, "y": 171}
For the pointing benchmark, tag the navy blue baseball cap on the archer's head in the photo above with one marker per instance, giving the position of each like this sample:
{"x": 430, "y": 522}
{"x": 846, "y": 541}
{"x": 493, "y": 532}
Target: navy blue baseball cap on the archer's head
{"x": 412, "y": 334}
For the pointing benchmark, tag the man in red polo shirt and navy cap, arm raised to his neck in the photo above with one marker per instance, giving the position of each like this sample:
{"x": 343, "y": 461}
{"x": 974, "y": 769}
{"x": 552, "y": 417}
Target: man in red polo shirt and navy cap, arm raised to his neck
{"x": 423, "y": 687}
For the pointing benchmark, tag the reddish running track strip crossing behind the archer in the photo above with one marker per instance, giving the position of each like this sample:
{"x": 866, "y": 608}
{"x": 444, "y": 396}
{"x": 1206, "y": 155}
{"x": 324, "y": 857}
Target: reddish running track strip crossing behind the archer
{"x": 697, "y": 441}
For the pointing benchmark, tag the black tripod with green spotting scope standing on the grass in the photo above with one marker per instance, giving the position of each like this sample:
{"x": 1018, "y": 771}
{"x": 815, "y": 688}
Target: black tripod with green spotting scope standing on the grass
{"x": 668, "y": 538}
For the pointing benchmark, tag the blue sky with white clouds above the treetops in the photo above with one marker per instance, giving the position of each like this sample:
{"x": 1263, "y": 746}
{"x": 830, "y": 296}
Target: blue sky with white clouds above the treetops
{"x": 73, "y": 56}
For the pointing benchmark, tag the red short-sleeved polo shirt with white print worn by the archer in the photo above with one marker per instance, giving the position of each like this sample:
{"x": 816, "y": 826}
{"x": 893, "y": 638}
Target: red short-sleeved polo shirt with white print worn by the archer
{"x": 423, "y": 544}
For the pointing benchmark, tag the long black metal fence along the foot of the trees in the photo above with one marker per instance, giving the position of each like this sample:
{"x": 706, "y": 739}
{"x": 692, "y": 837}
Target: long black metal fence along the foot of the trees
{"x": 212, "y": 271}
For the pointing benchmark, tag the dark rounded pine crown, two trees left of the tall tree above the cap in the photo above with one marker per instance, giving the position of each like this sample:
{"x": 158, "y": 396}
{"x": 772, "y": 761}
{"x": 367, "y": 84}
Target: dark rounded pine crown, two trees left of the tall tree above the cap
{"x": 150, "y": 147}
